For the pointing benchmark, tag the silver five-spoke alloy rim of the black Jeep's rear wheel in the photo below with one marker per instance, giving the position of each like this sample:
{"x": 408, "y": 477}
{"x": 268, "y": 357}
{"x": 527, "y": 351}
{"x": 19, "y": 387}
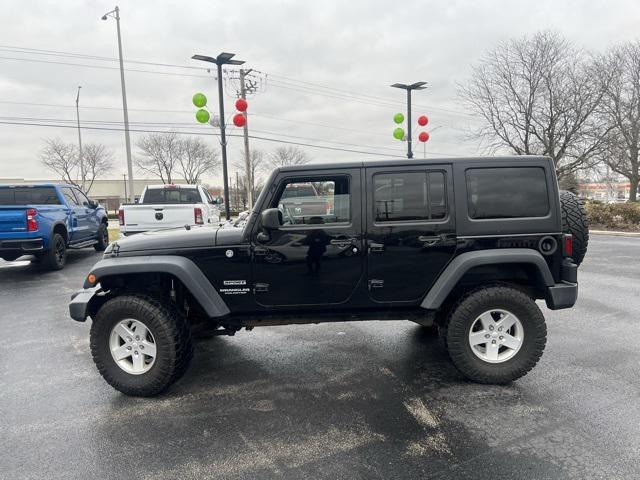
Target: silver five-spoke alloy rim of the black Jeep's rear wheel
{"x": 496, "y": 336}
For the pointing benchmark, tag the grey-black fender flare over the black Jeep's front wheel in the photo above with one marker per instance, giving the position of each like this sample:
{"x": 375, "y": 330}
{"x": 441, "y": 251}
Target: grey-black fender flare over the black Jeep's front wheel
{"x": 180, "y": 267}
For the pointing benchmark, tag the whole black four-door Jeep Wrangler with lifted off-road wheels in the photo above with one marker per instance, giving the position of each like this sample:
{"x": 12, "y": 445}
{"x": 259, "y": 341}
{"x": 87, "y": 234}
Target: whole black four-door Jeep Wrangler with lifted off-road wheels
{"x": 463, "y": 247}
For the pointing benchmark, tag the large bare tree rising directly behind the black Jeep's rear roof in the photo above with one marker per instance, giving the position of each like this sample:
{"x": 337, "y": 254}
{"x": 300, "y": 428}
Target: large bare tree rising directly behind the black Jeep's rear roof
{"x": 537, "y": 96}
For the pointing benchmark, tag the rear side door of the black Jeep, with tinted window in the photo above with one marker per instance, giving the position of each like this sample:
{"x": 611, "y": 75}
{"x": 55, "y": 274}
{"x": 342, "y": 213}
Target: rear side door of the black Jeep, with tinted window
{"x": 410, "y": 230}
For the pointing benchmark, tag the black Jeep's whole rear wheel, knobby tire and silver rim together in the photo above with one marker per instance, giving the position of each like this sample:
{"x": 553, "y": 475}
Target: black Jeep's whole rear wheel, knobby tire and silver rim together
{"x": 495, "y": 334}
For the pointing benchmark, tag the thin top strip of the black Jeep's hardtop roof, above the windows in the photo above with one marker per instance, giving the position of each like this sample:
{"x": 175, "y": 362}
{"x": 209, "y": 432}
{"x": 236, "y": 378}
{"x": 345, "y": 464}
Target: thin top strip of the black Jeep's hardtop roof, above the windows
{"x": 398, "y": 162}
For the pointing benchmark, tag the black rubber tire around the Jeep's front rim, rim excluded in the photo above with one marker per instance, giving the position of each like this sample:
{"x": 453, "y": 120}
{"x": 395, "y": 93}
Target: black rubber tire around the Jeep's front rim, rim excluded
{"x": 170, "y": 331}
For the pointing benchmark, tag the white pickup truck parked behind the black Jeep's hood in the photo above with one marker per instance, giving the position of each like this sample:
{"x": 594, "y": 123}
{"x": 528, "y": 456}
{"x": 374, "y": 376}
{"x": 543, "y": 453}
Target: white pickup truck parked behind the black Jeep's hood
{"x": 168, "y": 206}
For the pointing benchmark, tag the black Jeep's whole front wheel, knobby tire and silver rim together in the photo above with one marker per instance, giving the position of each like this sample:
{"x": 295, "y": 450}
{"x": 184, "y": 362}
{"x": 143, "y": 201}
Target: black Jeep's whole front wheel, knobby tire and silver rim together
{"x": 140, "y": 345}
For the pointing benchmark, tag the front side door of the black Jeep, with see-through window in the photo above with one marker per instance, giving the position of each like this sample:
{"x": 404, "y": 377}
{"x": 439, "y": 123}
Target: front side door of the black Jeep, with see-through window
{"x": 316, "y": 256}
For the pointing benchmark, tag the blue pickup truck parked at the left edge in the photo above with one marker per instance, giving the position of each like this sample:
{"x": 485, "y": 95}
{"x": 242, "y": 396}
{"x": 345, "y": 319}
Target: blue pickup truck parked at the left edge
{"x": 45, "y": 220}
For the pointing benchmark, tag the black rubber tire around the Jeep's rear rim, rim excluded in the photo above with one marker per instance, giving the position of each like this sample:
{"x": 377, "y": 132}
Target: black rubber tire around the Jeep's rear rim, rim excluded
{"x": 467, "y": 310}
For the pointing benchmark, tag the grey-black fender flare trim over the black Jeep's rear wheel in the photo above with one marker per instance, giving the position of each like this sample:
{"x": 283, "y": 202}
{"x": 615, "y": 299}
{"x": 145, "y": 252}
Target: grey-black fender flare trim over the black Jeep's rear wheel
{"x": 452, "y": 274}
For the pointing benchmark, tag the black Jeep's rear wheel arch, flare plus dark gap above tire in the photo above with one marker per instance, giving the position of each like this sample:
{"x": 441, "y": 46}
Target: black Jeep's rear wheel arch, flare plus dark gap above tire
{"x": 517, "y": 263}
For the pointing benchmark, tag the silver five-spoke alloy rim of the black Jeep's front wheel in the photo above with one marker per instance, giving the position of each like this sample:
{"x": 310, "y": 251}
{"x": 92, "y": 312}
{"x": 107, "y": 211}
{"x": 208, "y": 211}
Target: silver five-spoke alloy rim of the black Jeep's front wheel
{"x": 132, "y": 346}
